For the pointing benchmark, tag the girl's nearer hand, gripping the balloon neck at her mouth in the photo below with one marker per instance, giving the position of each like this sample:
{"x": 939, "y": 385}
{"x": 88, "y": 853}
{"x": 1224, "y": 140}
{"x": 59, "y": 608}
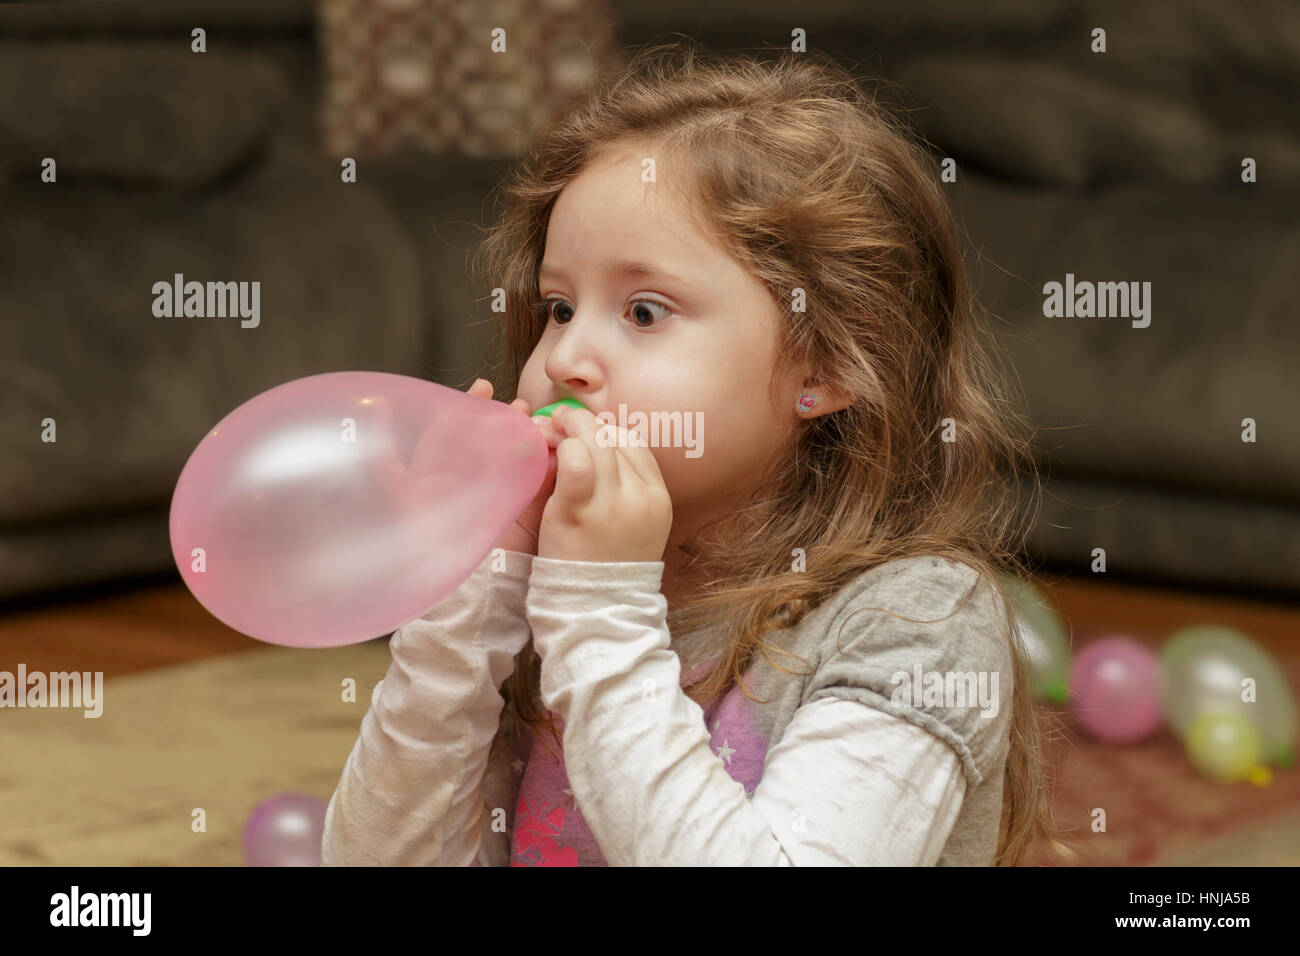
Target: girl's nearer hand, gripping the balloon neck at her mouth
{"x": 610, "y": 504}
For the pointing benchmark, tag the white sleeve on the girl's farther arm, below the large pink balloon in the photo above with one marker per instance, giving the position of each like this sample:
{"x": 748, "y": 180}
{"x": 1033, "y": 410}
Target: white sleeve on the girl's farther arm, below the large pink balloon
{"x": 411, "y": 791}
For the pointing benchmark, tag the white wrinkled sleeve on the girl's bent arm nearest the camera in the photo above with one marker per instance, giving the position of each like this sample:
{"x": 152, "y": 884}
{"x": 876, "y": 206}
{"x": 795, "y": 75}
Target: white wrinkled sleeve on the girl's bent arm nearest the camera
{"x": 847, "y": 785}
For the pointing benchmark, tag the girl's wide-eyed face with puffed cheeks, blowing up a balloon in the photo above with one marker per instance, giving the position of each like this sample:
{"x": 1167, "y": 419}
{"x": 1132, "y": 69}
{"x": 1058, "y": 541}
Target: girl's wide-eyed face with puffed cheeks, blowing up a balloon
{"x": 692, "y": 334}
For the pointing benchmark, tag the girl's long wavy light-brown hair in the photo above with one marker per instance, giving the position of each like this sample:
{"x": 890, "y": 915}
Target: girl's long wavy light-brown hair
{"x": 813, "y": 187}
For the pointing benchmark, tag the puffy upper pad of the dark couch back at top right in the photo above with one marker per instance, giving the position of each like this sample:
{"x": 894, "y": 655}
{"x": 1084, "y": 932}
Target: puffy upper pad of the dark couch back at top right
{"x": 1065, "y": 126}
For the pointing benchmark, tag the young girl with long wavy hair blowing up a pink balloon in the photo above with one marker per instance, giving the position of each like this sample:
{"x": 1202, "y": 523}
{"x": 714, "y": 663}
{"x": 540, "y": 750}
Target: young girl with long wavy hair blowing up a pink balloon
{"x": 787, "y": 644}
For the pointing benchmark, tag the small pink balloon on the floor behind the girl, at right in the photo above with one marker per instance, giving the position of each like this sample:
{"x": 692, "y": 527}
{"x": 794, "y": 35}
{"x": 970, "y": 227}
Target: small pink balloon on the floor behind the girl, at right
{"x": 1115, "y": 690}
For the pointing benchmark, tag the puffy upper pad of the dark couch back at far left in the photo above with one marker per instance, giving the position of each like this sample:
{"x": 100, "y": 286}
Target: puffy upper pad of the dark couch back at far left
{"x": 145, "y": 114}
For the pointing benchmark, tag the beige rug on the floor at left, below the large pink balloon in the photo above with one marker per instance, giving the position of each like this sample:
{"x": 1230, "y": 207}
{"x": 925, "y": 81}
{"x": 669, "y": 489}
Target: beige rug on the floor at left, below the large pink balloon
{"x": 222, "y": 734}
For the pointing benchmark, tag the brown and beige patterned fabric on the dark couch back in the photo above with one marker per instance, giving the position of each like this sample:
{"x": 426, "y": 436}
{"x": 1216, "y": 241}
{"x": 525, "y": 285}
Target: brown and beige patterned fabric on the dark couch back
{"x": 424, "y": 73}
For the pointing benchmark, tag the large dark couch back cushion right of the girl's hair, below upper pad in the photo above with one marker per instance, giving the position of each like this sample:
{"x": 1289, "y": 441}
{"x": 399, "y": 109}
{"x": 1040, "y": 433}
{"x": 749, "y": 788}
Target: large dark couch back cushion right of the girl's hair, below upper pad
{"x": 1160, "y": 406}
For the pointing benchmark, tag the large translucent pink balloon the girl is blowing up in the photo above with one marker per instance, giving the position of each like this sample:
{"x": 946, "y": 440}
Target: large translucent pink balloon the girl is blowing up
{"x": 335, "y": 509}
